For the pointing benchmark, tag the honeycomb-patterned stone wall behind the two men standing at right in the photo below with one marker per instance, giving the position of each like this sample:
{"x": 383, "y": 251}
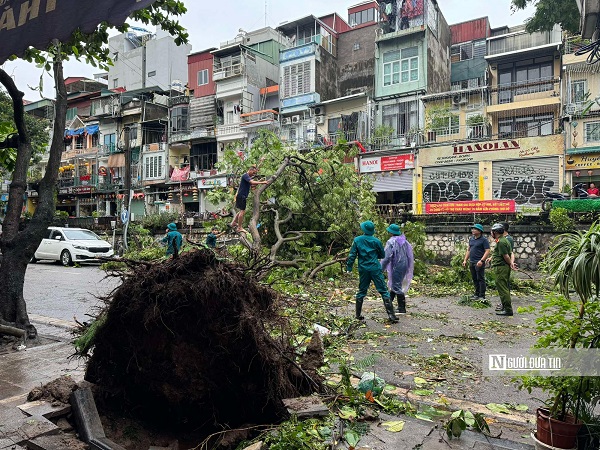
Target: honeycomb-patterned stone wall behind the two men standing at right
{"x": 529, "y": 246}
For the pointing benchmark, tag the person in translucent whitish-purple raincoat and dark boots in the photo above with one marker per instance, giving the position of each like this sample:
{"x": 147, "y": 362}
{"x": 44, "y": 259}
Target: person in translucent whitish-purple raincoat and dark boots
{"x": 399, "y": 262}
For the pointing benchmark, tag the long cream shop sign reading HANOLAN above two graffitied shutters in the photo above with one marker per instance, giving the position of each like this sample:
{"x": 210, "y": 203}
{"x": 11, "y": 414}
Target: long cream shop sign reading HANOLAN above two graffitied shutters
{"x": 492, "y": 150}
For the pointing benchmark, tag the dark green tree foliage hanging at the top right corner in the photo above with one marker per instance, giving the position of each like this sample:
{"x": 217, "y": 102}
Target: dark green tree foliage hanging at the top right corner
{"x": 549, "y": 13}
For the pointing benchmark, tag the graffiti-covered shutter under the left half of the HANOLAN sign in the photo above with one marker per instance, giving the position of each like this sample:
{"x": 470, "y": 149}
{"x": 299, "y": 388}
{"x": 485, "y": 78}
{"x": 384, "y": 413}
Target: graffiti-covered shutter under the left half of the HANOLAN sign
{"x": 450, "y": 186}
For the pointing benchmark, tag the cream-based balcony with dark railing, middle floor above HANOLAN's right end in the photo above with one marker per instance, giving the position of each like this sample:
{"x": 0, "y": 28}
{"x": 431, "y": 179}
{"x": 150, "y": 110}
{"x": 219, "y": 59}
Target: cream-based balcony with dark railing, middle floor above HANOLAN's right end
{"x": 535, "y": 94}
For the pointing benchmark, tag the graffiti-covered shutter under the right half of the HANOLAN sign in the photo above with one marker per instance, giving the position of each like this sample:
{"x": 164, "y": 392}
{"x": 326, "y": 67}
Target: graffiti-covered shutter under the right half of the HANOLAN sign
{"x": 524, "y": 183}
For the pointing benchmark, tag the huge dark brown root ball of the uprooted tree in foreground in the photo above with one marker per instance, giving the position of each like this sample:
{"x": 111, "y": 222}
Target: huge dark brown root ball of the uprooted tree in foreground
{"x": 191, "y": 342}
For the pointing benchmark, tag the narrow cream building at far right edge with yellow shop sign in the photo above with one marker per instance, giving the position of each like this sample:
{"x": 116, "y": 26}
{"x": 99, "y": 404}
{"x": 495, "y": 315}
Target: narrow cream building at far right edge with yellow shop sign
{"x": 581, "y": 103}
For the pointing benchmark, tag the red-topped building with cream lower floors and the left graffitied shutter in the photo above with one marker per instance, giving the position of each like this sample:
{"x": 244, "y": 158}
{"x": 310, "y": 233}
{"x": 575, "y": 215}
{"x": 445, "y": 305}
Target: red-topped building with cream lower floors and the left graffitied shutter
{"x": 457, "y": 116}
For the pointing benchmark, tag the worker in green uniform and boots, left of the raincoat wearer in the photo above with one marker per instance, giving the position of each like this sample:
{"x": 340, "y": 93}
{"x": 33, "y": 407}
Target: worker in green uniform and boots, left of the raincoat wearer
{"x": 369, "y": 251}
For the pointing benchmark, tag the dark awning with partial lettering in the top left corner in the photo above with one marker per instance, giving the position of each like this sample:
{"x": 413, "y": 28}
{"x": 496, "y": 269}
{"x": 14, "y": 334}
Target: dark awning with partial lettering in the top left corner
{"x": 35, "y": 23}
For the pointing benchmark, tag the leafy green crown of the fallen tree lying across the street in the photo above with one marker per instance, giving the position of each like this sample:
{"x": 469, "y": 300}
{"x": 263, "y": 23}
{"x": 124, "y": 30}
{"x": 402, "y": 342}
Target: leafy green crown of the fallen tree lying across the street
{"x": 308, "y": 213}
